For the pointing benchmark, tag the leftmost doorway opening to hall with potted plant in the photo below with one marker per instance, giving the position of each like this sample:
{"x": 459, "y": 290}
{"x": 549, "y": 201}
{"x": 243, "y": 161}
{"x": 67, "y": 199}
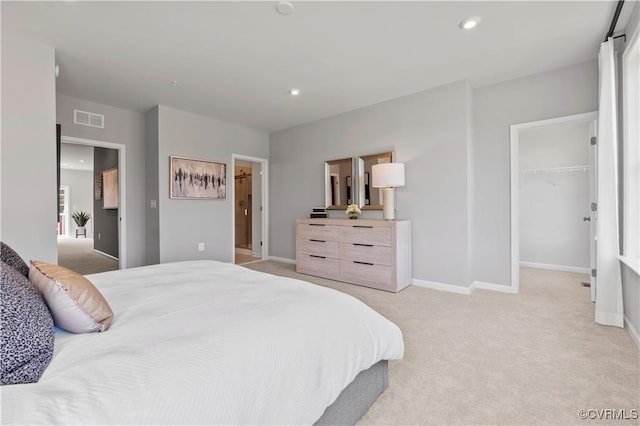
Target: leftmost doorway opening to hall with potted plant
{"x": 99, "y": 245}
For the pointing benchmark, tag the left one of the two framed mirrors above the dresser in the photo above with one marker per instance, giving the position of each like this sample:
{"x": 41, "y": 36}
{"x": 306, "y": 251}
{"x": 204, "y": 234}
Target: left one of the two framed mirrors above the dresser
{"x": 339, "y": 183}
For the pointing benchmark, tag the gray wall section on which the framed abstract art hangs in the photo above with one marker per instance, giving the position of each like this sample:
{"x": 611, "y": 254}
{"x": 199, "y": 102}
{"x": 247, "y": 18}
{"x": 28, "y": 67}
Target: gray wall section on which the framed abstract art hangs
{"x": 185, "y": 223}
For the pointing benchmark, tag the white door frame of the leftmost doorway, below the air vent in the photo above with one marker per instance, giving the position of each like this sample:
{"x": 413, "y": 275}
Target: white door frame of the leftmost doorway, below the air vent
{"x": 122, "y": 189}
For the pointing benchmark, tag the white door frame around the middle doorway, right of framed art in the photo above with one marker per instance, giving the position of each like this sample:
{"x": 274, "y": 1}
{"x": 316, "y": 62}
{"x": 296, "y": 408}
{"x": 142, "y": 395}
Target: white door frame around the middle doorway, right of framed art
{"x": 264, "y": 185}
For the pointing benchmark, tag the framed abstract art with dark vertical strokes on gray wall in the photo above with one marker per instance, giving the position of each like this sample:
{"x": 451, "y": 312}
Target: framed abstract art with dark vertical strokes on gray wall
{"x": 197, "y": 179}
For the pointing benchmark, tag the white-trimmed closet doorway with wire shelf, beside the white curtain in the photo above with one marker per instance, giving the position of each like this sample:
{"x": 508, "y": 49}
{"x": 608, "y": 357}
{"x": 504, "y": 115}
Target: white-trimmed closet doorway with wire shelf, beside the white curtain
{"x": 553, "y": 171}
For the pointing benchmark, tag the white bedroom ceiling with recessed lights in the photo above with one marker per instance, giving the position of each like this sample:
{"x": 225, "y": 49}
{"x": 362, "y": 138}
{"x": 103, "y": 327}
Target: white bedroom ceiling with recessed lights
{"x": 237, "y": 60}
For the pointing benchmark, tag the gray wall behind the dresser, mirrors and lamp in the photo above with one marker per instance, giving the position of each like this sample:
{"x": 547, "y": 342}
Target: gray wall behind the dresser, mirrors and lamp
{"x": 429, "y": 132}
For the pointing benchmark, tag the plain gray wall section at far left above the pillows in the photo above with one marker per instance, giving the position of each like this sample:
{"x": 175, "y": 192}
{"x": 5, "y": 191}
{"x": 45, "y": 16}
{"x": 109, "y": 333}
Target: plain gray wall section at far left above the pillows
{"x": 28, "y": 211}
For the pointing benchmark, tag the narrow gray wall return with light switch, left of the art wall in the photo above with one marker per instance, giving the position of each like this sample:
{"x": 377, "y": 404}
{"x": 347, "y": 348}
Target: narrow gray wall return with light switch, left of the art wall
{"x": 152, "y": 217}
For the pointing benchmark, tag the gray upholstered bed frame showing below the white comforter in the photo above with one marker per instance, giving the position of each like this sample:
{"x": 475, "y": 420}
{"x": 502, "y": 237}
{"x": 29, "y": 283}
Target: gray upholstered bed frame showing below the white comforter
{"x": 357, "y": 397}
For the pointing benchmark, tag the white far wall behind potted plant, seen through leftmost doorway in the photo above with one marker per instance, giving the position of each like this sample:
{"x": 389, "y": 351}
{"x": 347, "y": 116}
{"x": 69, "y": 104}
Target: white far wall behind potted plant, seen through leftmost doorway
{"x": 80, "y": 184}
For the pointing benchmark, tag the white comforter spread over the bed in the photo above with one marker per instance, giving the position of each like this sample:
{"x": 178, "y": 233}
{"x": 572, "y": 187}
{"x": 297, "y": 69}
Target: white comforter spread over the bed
{"x": 207, "y": 342}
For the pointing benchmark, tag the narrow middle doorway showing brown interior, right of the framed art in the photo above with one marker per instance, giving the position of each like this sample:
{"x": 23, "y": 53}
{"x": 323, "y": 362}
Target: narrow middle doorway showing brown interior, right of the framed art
{"x": 250, "y": 209}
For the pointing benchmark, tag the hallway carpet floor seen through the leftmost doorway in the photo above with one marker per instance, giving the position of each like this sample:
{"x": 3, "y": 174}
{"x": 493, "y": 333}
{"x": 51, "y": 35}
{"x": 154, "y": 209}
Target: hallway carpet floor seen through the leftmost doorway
{"x": 78, "y": 255}
